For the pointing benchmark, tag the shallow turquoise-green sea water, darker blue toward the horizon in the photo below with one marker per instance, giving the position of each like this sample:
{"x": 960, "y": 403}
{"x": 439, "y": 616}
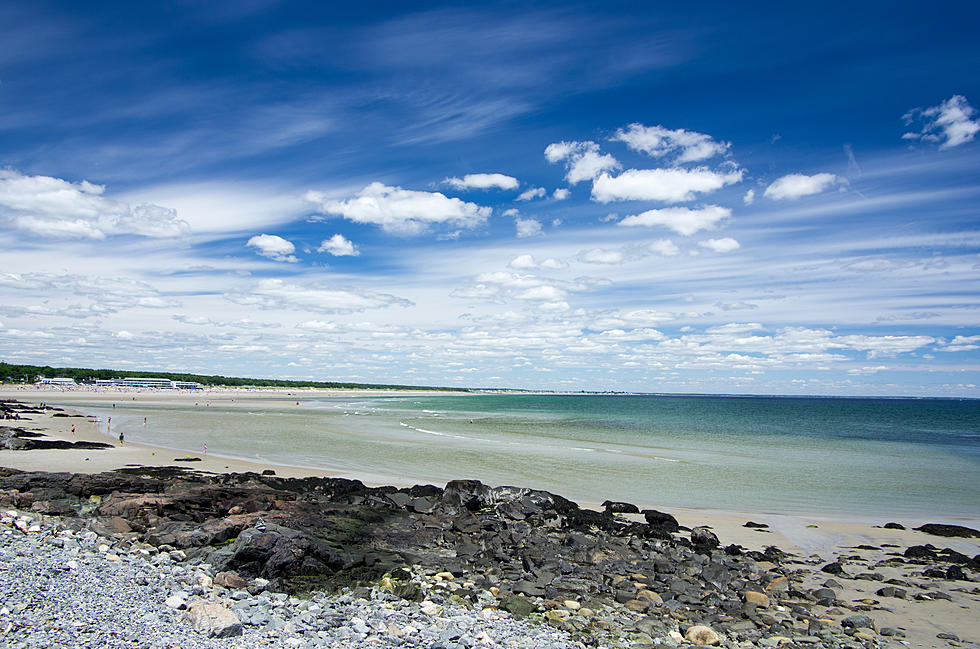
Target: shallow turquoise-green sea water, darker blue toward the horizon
{"x": 852, "y": 457}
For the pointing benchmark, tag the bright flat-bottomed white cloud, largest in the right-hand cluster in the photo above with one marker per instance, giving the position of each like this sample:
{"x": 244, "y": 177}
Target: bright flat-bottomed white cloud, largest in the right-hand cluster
{"x": 667, "y": 185}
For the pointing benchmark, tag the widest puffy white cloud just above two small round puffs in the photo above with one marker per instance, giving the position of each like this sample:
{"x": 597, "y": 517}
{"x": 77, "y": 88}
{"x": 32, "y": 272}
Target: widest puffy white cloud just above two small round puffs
{"x": 402, "y": 210}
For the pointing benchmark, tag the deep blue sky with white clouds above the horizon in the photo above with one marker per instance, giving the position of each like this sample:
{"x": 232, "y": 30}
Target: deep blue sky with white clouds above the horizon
{"x": 706, "y": 198}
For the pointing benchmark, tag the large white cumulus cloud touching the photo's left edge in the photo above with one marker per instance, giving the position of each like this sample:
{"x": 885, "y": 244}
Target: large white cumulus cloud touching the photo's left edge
{"x": 56, "y": 208}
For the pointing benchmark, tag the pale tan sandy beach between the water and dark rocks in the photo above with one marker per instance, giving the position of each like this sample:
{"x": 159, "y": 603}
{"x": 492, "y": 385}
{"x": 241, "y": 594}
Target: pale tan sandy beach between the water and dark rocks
{"x": 814, "y": 540}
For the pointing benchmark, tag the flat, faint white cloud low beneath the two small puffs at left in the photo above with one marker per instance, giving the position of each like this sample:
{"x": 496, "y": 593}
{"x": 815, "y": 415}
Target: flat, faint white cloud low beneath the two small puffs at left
{"x": 278, "y": 294}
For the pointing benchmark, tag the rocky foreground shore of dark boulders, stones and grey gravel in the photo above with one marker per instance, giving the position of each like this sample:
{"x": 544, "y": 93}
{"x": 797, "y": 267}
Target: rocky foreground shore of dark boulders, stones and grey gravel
{"x": 322, "y": 562}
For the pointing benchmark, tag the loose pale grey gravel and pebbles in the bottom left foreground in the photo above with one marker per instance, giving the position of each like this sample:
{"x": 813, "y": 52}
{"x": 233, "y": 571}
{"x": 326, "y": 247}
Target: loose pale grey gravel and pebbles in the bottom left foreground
{"x": 62, "y": 587}
